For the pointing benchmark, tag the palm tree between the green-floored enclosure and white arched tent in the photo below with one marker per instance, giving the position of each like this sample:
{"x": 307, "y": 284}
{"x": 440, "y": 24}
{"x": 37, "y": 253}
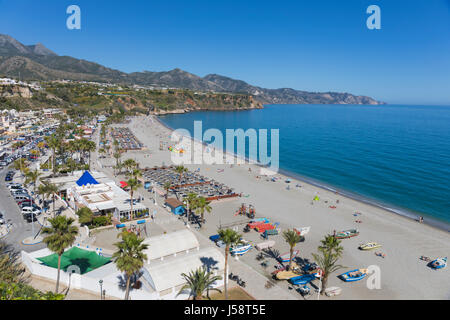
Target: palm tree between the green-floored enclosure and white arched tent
{"x": 130, "y": 256}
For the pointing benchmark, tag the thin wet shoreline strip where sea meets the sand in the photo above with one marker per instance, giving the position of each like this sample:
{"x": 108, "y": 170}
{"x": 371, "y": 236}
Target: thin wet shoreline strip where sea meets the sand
{"x": 399, "y": 211}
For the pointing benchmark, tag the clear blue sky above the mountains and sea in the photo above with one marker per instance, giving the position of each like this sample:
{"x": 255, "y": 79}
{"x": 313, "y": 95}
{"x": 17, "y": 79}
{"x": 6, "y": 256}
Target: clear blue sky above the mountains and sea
{"x": 307, "y": 45}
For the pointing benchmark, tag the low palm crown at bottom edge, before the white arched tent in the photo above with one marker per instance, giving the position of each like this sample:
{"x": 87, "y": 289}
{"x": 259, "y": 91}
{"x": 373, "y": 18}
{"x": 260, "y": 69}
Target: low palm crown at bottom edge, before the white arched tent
{"x": 198, "y": 282}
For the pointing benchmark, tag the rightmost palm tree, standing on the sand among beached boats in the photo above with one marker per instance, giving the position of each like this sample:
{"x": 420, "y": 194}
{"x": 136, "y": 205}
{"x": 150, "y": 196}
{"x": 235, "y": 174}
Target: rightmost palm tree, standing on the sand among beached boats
{"x": 327, "y": 259}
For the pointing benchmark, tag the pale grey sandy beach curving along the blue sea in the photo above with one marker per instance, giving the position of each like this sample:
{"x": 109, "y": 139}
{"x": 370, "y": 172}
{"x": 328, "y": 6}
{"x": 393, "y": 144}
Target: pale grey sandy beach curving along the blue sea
{"x": 403, "y": 274}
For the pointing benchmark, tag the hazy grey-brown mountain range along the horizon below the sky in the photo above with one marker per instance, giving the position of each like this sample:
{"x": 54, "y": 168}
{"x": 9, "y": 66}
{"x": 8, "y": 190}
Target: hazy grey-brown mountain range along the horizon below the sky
{"x": 36, "y": 62}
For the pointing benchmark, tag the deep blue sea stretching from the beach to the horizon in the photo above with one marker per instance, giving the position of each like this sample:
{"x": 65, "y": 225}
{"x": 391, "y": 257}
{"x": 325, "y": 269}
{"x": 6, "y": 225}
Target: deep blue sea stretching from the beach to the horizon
{"x": 396, "y": 156}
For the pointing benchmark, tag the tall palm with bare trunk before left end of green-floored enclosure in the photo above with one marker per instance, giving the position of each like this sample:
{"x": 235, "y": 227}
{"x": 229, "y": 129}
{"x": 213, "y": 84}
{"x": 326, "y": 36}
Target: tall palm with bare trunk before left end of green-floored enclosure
{"x": 60, "y": 235}
